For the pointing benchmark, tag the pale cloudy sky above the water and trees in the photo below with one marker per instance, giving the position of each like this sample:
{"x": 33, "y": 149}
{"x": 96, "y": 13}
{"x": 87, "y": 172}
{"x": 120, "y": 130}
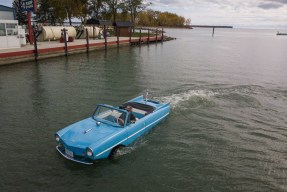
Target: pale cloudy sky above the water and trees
{"x": 238, "y": 13}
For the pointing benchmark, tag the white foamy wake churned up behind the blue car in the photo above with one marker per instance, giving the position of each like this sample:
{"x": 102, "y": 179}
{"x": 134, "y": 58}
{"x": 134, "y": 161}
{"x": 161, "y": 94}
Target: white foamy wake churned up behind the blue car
{"x": 176, "y": 99}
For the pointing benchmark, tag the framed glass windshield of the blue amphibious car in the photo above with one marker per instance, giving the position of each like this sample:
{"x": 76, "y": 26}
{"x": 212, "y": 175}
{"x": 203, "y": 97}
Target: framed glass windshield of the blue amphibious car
{"x": 110, "y": 115}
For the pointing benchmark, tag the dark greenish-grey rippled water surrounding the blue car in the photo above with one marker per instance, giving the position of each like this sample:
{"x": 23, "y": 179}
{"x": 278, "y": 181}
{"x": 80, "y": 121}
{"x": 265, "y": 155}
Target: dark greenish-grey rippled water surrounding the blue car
{"x": 226, "y": 130}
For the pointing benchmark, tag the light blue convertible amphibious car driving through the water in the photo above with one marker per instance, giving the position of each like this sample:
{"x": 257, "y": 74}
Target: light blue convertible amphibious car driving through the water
{"x": 109, "y": 128}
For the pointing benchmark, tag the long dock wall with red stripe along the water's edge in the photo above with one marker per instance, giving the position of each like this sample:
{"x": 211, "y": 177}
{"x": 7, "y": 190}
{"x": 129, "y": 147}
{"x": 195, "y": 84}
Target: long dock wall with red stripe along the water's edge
{"x": 55, "y": 48}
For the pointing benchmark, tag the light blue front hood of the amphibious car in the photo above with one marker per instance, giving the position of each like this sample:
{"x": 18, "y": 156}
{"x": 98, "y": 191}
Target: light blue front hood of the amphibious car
{"x": 86, "y": 132}
